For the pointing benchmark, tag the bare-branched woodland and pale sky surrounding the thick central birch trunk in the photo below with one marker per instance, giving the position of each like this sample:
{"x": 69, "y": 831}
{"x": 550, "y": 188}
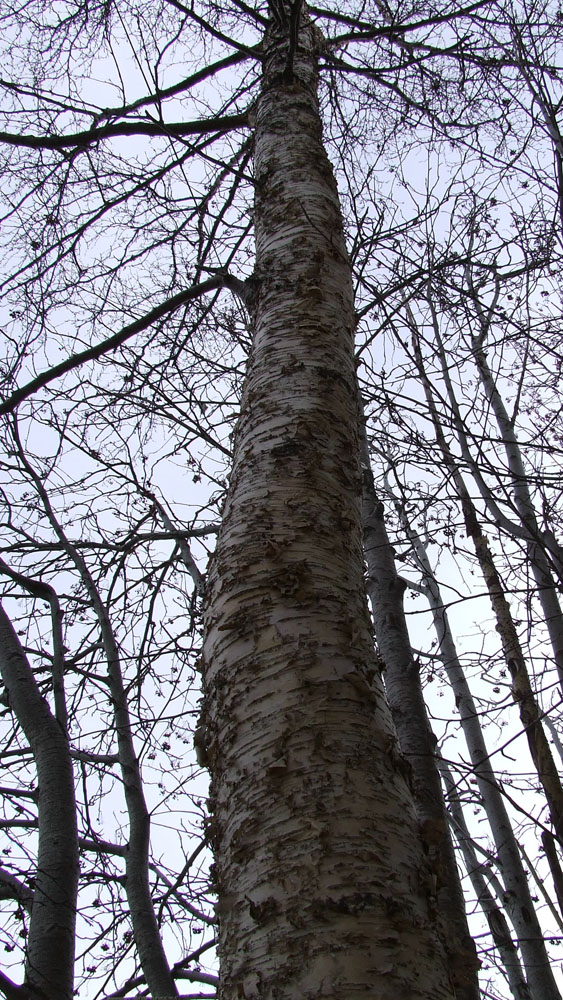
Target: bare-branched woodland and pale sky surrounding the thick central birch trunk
{"x": 128, "y": 281}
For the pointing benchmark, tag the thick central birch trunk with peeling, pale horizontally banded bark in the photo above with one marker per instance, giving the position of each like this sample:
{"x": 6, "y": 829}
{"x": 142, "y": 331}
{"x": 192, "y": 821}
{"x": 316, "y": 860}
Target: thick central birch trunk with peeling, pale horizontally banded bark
{"x": 320, "y": 873}
